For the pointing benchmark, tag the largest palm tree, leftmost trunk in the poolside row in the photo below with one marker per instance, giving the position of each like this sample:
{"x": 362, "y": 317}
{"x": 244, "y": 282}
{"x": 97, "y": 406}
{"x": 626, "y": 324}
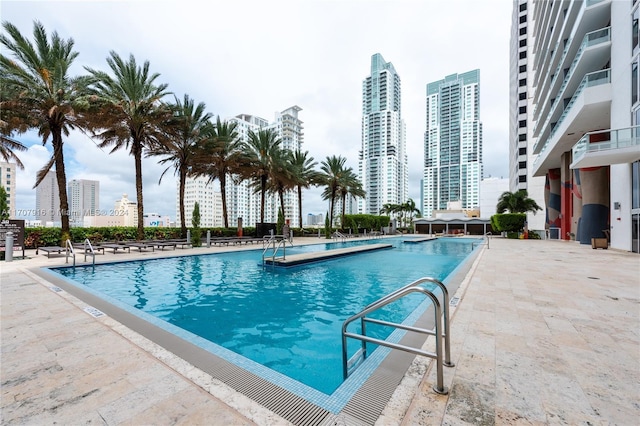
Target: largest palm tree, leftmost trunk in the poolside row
{"x": 38, "y": 93}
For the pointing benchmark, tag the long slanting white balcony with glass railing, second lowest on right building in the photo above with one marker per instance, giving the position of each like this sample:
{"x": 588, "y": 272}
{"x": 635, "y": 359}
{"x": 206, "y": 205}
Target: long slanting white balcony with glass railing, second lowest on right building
{"x": 588, "y": 110}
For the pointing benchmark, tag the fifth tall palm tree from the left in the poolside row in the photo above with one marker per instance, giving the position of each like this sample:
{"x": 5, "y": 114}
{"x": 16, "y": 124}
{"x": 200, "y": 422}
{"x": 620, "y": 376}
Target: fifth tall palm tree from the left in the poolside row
{"x": 262, "y": 148}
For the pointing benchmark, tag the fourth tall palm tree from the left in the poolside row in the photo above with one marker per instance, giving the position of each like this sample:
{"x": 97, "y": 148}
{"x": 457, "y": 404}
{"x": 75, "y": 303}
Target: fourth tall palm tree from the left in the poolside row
{"x": 219, "y": 155}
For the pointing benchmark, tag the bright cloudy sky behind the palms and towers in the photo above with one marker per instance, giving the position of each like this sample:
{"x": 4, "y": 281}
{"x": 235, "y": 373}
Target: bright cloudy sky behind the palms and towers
{"x": 258, "y": 57}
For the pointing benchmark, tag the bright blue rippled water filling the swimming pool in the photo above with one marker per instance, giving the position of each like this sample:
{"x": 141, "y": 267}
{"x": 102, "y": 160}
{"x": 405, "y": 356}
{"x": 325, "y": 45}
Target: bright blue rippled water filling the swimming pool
{"x": 288, "y": 320}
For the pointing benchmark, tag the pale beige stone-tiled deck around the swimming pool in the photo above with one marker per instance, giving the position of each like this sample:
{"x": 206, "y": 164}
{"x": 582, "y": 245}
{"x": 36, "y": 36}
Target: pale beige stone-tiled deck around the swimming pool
{"x": 544, "y": 332}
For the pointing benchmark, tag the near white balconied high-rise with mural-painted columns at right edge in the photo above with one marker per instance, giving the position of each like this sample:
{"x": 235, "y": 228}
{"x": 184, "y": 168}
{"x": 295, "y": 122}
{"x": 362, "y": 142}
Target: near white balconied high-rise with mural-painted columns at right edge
{"x": 586, "y": 113}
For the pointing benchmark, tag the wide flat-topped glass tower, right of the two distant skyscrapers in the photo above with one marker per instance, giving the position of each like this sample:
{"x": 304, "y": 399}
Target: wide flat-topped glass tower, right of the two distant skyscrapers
{"x": 453, "y": 143}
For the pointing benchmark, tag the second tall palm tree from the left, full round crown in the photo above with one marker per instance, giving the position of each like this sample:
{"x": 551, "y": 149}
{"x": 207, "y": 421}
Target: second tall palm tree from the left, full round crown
{"x": 131, "y": 114}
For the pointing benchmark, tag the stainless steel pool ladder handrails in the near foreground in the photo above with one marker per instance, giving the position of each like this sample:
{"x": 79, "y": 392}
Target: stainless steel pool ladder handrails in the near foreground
{"x": 441, "y": 316}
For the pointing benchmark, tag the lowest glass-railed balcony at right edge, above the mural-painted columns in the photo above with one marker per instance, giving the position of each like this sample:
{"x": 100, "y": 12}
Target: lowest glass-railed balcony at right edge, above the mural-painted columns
{"x": 607, "y": 147}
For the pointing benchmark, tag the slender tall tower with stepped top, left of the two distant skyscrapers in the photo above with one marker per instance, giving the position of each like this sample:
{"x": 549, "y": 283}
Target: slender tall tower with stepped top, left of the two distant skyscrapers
{"x": 382, "y": 166}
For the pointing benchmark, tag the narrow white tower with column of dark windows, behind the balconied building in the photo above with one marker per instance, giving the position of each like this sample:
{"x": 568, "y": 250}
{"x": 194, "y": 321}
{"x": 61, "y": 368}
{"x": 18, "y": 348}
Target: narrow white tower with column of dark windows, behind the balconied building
{"x": 520, "y": 109}
